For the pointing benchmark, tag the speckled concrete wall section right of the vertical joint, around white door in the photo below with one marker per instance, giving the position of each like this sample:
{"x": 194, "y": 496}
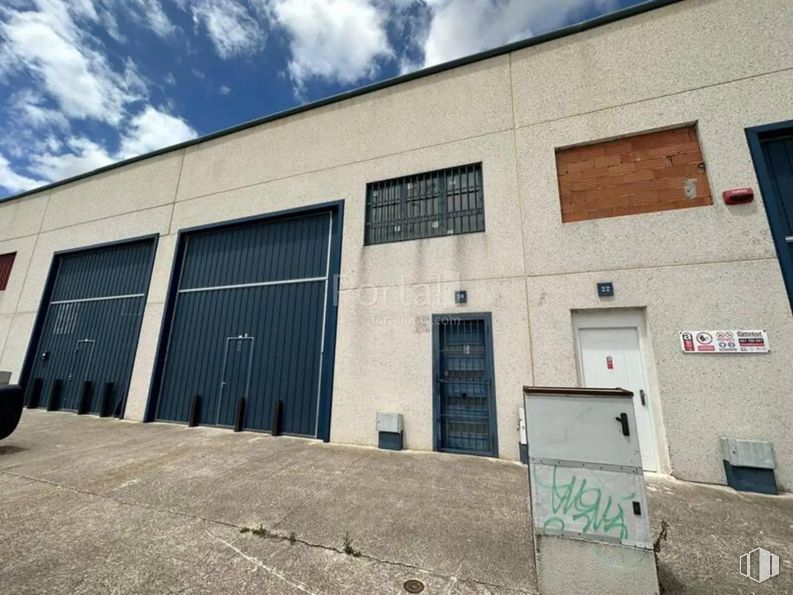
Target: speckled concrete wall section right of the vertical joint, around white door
{"x": 679, "y": 266}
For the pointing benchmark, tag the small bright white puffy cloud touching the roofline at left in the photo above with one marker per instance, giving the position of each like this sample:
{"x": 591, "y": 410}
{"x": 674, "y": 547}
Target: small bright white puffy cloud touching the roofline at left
{"x": 153, "y": 129}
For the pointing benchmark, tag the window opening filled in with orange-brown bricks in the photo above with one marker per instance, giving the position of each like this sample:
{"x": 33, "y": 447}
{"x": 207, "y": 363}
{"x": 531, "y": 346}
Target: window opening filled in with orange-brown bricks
{"x": 656, "y": 171}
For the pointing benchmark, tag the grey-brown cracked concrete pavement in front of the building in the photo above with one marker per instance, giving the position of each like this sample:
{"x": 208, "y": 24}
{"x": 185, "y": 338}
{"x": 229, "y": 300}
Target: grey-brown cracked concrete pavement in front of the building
{"x": 93, "y": 505}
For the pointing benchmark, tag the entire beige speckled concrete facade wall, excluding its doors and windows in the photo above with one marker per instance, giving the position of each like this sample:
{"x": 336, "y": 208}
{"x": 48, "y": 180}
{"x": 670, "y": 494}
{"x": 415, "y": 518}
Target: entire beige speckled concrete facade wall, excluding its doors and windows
{"x": 722, "y": 64}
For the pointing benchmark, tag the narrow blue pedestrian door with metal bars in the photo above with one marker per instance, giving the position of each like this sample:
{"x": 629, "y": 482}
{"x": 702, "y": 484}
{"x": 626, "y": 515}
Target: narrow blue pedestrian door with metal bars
{"x": 464, "y": 400}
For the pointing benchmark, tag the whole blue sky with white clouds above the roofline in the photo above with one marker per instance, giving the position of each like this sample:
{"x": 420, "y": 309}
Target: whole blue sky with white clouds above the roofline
{"x": 84, "y": 83}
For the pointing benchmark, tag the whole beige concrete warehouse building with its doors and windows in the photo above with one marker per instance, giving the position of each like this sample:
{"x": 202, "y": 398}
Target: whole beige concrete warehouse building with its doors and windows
{"x": 557, "y": 212}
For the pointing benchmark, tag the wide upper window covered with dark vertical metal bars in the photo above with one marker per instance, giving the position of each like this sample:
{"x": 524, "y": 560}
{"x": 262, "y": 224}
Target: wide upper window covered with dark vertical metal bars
{"x": 437, "y": 203}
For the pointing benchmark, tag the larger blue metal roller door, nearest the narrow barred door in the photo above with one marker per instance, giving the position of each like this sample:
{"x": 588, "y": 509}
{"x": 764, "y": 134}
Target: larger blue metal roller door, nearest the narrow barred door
{"x": 249, "y": 323}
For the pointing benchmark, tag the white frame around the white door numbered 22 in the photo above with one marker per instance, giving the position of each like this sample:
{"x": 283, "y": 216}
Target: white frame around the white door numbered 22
{"x": 633, "y": 318}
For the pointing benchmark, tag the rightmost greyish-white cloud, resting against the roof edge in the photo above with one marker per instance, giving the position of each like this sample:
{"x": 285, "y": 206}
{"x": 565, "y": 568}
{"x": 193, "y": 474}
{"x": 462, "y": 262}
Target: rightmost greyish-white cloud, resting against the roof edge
{"x": 462, "y": 27}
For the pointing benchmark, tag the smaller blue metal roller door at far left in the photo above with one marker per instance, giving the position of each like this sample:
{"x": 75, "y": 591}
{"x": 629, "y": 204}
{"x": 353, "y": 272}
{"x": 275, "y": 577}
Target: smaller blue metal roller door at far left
{"x": 91, "y": 323}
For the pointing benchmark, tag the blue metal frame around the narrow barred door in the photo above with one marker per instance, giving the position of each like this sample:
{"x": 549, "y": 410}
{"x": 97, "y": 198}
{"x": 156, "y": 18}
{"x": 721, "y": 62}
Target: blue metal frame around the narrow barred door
{"x": 437, "y": 320}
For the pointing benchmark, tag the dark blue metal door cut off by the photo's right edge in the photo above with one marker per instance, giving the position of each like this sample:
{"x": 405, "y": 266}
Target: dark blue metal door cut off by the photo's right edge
{"x": 775, "y": 172}
